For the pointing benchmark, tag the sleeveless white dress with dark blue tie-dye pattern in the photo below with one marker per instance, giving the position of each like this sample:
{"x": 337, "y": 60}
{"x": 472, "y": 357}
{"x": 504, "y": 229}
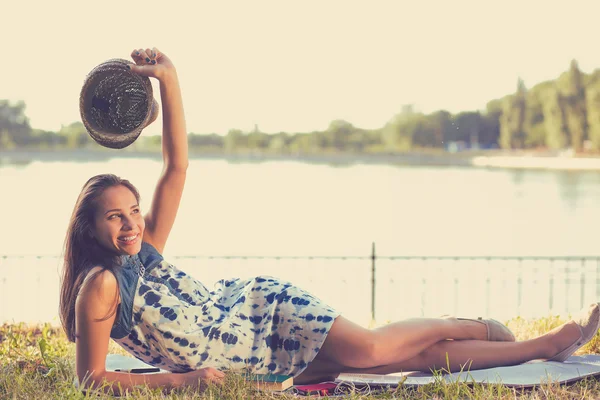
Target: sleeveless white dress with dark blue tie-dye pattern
{"x": 172, "y": 321}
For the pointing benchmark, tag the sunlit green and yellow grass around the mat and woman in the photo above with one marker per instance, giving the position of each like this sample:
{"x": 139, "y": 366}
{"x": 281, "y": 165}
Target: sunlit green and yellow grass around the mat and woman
{"x": 38, "y": 363}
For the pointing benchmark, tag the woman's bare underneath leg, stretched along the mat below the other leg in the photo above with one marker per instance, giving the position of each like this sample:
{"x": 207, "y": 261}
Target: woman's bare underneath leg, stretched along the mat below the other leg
{"x": 461, "y": 355}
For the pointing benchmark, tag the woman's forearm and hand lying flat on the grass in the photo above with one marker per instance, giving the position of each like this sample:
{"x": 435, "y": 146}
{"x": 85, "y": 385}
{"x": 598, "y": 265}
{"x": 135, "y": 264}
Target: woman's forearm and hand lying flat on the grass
{"x": 119, "y": 382}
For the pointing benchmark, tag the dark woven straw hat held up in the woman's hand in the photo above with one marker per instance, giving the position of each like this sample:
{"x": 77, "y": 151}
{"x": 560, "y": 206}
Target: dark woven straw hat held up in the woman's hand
{"x": 116, "y": 104}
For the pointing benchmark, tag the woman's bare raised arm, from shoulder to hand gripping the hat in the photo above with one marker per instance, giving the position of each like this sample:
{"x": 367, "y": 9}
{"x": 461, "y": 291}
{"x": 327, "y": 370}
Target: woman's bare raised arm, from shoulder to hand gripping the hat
{"x": 167, "y": 195}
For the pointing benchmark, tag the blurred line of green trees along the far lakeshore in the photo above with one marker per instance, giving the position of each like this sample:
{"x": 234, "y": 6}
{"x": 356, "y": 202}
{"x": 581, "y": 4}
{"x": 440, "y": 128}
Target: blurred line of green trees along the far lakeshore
{"x": 556, "y": 114}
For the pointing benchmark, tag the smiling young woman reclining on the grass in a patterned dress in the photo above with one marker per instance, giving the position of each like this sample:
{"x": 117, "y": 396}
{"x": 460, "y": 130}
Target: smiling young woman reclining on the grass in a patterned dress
{"x": 117, "y": 285}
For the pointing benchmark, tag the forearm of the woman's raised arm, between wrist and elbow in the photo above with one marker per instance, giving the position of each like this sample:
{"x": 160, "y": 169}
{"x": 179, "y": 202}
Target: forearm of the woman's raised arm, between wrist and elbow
{"x": 174, "y": 138}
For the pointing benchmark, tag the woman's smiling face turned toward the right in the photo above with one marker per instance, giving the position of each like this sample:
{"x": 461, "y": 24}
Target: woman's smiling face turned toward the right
{"x": 119, "y": 224}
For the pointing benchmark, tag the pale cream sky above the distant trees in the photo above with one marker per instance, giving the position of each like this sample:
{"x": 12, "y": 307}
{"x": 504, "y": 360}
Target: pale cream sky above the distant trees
{"x": 295, "y": 66}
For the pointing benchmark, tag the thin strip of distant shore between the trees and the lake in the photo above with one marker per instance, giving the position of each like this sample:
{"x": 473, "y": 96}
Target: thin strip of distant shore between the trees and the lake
{"x": 478, "y": 159}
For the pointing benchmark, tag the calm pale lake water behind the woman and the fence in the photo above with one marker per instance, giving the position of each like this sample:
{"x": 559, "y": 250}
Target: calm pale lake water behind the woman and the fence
{"x": 292, "y": 208}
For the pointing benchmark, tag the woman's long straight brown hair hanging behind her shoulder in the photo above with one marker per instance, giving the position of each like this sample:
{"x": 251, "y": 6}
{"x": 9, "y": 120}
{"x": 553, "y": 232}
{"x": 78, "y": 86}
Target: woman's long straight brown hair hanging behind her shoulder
{"x": 81, "y": 251}
